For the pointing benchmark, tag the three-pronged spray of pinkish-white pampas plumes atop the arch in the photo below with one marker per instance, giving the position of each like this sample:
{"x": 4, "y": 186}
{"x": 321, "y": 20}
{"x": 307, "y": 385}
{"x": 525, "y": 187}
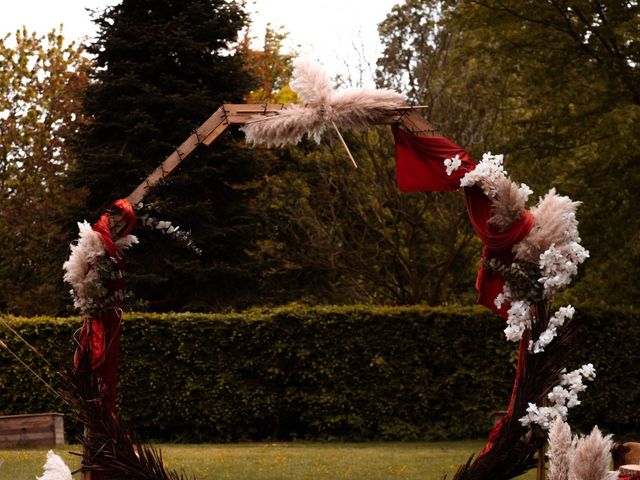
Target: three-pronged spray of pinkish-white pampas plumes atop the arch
{"x": 323, "y": 107}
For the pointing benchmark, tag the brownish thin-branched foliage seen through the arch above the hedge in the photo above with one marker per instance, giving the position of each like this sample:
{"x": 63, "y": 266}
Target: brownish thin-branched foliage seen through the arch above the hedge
{"x": 347, "y": 235}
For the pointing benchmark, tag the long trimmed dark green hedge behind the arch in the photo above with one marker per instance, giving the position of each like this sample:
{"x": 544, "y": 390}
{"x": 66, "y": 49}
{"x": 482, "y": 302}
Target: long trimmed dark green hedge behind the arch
{"x": 355, "y": 373}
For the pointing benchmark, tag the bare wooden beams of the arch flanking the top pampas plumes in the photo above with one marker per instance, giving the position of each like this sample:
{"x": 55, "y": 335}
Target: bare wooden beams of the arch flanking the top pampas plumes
{"x": 241, "y": 114}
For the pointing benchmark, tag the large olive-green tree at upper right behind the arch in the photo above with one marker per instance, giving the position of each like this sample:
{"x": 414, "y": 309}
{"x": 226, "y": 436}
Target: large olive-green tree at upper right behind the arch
{"x": 554, "y": 85}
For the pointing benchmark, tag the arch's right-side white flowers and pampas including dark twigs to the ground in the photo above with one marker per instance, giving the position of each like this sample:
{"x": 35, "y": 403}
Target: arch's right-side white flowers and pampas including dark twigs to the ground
{"x": 544, "y": 261}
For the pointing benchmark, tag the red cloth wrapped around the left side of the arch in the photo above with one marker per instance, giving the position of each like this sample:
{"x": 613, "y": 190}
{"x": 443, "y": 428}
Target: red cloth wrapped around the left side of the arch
{"x": 100, "y": 334}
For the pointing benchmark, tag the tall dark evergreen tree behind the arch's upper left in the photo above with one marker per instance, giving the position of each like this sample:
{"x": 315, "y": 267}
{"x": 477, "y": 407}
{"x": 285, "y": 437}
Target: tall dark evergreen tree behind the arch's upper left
{"x": 163, "y": 67}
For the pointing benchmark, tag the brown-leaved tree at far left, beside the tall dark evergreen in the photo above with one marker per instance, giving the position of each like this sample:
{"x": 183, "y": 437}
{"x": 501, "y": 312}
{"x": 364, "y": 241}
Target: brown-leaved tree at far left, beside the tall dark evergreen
{"x": 41, "y": 80}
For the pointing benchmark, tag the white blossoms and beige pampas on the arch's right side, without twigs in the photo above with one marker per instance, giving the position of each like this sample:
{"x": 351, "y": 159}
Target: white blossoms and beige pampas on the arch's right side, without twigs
{"x": 554, "y": 245}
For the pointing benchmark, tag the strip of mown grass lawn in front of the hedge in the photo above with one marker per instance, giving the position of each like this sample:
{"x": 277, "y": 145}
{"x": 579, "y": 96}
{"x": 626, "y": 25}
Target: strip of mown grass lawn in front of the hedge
{"x": 284, "y": 461}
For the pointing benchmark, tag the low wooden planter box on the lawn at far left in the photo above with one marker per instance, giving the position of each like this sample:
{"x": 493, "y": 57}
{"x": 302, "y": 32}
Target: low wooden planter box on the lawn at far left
{"x": 32, "y": 430}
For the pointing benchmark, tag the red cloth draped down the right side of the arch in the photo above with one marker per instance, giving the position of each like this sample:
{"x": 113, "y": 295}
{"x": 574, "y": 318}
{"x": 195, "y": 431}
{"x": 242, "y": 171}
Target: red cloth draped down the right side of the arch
{"x": 420, "y": 167}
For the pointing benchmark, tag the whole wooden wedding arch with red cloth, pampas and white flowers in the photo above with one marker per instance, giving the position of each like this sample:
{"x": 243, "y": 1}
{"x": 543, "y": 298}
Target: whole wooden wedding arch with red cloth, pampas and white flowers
{"x": 528, "y": 255}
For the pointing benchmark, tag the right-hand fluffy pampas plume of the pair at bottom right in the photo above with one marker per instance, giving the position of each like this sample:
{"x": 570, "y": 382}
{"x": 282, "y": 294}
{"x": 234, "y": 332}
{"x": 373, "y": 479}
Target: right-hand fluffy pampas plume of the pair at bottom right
{"x": 590, "y": 460}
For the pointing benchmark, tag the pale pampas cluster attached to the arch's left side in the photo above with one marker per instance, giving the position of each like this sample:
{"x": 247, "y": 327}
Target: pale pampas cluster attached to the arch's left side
{"x": 78, "y": 268}
